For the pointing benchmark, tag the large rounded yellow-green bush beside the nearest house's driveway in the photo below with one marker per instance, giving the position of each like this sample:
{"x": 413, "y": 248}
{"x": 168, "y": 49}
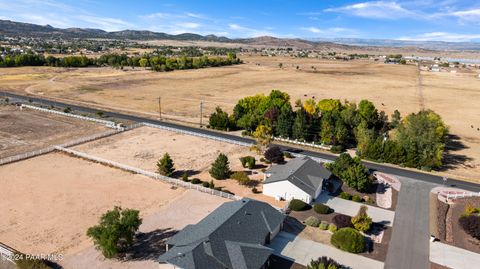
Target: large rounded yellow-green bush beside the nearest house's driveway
{"x": 348, "y": 239}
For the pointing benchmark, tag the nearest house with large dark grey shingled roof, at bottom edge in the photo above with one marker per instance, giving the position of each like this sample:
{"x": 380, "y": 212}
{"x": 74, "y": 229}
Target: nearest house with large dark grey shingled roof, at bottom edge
{"x": 233, "y": 236}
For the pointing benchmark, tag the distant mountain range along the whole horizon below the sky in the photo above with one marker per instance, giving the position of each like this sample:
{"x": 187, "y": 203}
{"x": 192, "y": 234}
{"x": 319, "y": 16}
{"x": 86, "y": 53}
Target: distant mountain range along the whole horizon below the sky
{"x": 20, "y": 29}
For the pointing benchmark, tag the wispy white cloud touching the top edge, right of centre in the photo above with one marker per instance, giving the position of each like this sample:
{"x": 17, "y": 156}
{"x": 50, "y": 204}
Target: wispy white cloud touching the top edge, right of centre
{"x": 374, "y": 9}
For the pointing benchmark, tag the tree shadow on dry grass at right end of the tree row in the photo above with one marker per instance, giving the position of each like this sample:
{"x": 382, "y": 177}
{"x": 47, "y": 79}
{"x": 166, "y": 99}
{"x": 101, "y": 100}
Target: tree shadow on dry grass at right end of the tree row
{"x": 451, "y": 159}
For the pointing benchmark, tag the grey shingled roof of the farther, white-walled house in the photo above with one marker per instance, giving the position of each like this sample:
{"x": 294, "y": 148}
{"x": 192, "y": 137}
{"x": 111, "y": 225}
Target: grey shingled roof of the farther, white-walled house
{"x": 305, "y": 173}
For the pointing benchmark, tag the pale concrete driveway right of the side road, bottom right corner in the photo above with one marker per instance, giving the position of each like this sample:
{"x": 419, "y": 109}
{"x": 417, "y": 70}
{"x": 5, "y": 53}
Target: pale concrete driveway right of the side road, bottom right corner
{"x": 453, "y": 257}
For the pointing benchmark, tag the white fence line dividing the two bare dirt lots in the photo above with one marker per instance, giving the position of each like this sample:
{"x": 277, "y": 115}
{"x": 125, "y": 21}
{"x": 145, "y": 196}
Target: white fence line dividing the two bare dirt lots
{"x": 172, "y": 181}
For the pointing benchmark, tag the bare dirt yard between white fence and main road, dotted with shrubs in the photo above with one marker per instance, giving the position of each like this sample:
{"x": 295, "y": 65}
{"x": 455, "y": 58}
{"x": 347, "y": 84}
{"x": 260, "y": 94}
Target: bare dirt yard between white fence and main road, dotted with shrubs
{"x": 143, "y": 147}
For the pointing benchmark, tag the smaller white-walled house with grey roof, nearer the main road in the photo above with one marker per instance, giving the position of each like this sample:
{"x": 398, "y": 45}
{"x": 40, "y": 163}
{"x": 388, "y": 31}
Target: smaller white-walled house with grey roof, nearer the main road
{"x": 300, "y": 178}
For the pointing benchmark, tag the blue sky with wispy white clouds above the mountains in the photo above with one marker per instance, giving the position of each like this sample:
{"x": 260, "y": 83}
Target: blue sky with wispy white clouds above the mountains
{"x": 444, "y": 20}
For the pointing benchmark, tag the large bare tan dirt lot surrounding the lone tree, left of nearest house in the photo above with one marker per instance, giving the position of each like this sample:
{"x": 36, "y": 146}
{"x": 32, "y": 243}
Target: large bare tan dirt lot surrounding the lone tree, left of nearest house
{"x": 48, "y": 202}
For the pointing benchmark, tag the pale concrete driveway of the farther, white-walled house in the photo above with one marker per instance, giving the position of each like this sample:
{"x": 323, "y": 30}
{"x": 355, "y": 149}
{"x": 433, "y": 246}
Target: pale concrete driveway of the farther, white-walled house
{"x": 351, "y": 208}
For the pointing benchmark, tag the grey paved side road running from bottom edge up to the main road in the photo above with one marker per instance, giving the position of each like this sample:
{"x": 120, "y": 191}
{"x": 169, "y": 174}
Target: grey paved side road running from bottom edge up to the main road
{"x": 409, "y": 245}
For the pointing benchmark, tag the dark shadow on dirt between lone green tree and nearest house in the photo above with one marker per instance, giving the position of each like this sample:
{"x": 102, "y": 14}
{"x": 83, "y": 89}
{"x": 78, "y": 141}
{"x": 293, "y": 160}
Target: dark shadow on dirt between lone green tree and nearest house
{"x": 150, "y": 245}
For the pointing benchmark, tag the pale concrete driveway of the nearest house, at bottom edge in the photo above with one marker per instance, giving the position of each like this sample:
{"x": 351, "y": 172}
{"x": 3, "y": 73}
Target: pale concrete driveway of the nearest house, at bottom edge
{"x": 302, "y": 251}
